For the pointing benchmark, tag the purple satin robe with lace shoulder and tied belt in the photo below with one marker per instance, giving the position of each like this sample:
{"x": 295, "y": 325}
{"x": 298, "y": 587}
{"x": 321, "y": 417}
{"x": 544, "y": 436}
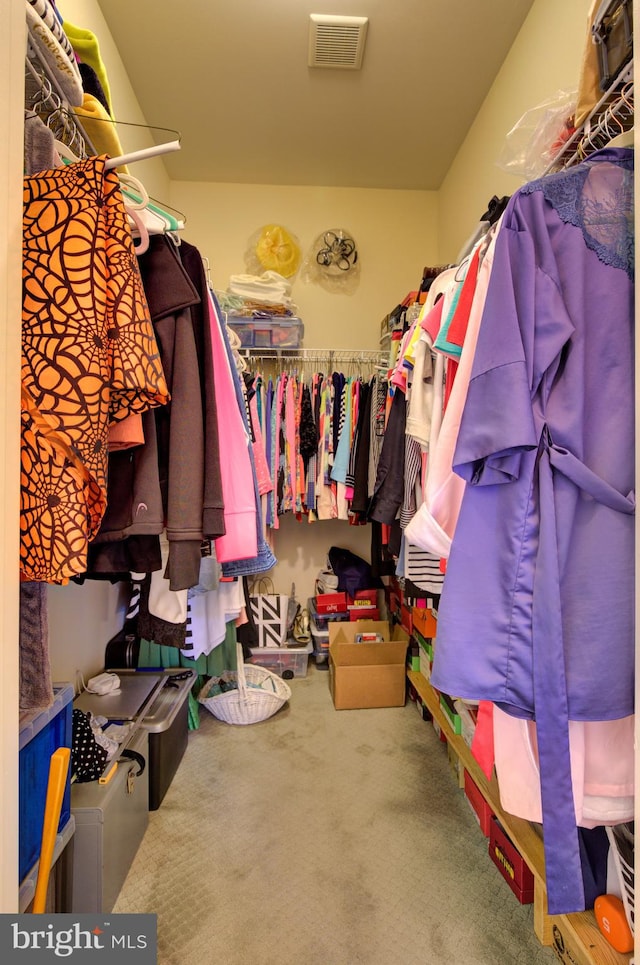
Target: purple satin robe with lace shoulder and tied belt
{"x": 546, "y": 446}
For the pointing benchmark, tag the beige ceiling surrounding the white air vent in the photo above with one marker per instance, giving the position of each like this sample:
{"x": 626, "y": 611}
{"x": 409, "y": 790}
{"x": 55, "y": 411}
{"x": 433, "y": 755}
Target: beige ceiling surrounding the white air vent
{"x": 232, "y": 77}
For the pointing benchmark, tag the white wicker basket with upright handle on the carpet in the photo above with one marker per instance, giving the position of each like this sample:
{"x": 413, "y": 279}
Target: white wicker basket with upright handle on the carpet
{"x": 259, "y": 695}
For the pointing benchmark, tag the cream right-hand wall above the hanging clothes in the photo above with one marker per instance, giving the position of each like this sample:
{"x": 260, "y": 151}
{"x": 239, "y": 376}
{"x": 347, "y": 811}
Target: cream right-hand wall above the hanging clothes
{"x": 544, "y": 58}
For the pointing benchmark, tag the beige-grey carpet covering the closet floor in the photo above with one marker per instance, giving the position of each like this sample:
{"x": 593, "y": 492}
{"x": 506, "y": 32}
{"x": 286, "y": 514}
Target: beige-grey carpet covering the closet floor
{"x": 323, "y": 837}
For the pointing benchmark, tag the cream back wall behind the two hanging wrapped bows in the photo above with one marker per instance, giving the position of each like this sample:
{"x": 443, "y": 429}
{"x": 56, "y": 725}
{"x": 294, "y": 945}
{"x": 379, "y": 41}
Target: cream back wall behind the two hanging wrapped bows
{"x": 395, "y": 232}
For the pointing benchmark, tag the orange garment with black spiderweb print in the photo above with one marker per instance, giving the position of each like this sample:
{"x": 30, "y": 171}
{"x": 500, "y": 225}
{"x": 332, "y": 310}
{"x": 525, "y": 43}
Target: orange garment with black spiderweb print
{"x": 89, "y": 353}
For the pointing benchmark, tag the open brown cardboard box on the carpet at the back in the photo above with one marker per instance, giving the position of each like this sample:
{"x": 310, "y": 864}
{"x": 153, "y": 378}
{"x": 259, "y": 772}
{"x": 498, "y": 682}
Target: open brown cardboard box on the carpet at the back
{"x": 364, "y": 675}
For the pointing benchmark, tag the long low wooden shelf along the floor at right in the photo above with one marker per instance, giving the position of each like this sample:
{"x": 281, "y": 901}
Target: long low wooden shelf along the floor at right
{"x": 576, "y": 939}
